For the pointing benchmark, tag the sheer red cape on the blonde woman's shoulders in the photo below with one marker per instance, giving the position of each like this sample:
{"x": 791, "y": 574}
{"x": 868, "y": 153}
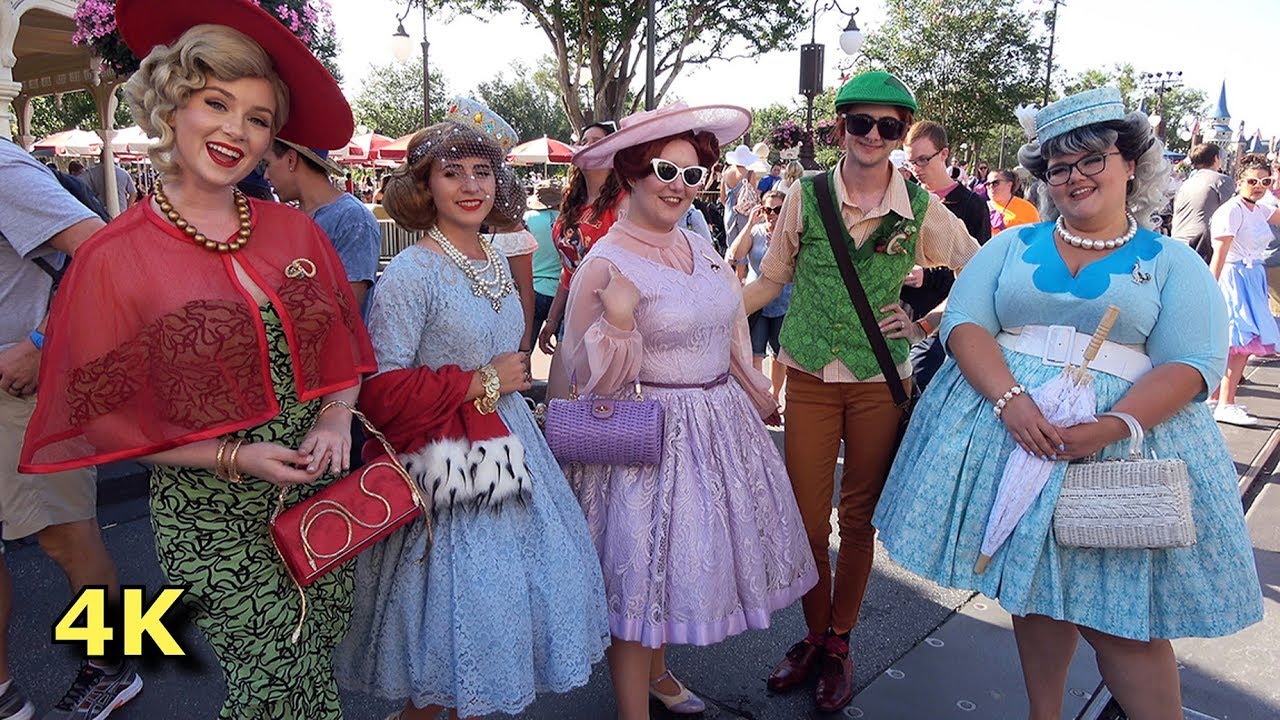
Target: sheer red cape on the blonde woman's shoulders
{"x": 153, "y": 344}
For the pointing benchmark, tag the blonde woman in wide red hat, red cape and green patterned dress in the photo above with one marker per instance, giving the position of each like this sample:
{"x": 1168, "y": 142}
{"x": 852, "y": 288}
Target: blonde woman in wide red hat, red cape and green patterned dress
{"x": 204, "y": 334}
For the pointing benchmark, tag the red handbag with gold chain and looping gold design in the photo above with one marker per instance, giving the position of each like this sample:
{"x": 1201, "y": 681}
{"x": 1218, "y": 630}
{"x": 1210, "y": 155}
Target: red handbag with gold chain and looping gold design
{"x": 339, "y": 523}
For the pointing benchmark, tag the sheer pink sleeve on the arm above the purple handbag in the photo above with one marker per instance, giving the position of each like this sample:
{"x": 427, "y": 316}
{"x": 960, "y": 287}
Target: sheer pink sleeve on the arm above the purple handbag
{"x": 604, "y": 358}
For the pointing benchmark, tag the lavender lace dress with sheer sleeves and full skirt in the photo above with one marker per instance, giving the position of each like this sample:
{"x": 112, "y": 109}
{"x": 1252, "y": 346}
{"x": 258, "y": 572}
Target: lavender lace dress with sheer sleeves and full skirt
{"x": 710, "y": 543}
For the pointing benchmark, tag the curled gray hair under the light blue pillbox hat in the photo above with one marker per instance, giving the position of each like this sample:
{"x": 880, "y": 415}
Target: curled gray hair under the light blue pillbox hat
{"x": 1133, "y": 138}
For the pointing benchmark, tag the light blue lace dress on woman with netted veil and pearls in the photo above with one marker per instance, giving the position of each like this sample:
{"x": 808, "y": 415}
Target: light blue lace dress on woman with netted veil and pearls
{"x": 506, "y": 604}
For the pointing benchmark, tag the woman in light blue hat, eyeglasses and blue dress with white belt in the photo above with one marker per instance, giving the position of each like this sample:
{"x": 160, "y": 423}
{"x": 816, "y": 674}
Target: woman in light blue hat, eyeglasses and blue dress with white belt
{"x": 1028, "y": 303}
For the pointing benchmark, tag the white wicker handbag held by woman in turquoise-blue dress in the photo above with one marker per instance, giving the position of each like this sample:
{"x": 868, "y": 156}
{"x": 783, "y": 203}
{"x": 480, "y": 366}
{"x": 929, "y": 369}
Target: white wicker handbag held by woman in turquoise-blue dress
{"x": 1132, "y": 503}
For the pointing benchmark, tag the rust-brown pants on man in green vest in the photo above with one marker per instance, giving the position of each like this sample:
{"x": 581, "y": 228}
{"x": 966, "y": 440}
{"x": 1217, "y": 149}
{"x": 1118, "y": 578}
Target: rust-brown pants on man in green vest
{"x": 820, "y": 416}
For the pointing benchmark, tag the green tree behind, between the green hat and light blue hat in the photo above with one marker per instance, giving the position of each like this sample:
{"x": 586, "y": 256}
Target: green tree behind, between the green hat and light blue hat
{"x": 970, "y": 63}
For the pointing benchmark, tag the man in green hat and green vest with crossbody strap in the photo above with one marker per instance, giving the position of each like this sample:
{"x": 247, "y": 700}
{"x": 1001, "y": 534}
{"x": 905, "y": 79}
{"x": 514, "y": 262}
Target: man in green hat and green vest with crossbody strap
{"x": 836, "y": 390}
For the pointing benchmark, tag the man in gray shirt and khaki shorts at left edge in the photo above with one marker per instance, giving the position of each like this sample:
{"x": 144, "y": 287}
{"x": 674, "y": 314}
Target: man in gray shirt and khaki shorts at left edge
{"x": 40, "y": 221}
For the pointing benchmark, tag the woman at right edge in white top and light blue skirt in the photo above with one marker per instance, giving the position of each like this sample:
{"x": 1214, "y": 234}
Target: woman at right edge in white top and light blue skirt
{"x": 1242, "y": 231}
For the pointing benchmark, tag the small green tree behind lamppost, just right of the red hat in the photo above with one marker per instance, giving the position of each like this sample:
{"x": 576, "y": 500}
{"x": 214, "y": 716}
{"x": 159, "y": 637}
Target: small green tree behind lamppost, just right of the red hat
{"x": 391, "y": 101}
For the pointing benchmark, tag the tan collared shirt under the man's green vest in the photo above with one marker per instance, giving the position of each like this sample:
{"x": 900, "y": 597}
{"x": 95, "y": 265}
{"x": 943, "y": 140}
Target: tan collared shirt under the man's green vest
{"x": 944, "y": 243}
